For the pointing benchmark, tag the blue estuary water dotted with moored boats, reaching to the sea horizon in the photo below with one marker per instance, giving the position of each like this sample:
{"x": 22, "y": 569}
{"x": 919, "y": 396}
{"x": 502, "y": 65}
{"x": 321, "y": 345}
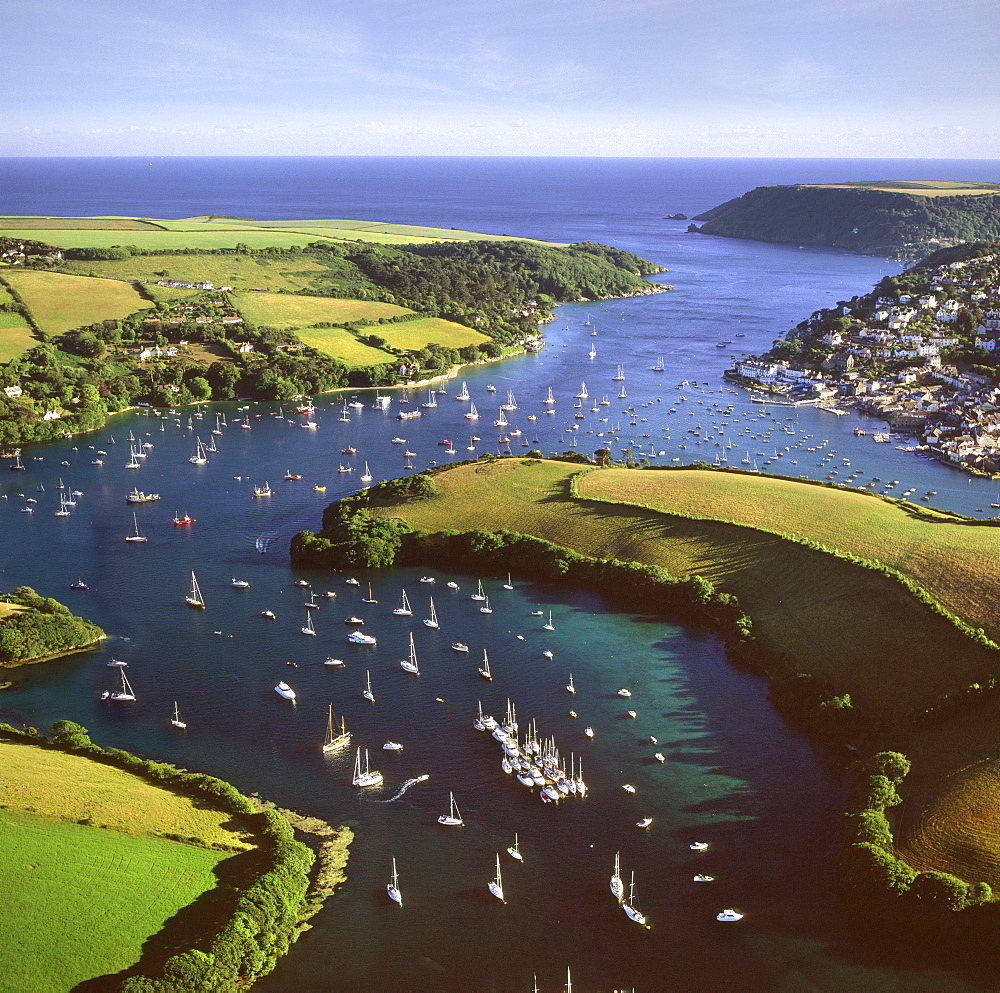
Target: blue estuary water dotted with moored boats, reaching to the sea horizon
{"x": 733, "y": 776}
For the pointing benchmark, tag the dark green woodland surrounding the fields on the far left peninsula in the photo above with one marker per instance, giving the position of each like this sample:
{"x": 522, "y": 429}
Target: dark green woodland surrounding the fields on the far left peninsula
{"x": 503, "y": 289}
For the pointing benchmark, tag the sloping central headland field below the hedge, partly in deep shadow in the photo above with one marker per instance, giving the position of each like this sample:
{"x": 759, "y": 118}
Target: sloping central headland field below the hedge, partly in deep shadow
{"x": 862, "y": 631}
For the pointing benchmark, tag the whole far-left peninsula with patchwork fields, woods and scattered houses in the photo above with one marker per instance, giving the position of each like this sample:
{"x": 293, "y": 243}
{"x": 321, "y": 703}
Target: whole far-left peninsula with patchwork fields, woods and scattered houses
{"x": 100, "y": 313}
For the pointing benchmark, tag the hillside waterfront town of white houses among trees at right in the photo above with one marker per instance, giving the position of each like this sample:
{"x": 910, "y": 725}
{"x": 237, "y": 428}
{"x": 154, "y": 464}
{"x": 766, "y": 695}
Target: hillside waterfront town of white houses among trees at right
{"x": 921, "y": 352}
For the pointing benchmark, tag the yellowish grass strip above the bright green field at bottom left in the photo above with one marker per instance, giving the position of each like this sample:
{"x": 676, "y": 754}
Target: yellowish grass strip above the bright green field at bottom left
{"x": 34, "y": 780}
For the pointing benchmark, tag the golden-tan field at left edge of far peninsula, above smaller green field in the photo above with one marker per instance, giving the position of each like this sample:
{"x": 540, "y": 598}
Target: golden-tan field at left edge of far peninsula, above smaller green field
{"x": 61, "y": 303}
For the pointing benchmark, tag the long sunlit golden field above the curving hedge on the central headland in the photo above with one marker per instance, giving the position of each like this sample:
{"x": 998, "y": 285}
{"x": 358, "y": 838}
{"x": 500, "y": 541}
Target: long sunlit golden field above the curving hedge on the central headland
{"x": 953, "y": 560}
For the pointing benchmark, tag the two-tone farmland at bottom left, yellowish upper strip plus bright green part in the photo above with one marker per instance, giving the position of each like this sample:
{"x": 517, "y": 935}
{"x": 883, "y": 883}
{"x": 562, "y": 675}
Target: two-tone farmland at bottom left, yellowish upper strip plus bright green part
{"x": 87, "y": 874}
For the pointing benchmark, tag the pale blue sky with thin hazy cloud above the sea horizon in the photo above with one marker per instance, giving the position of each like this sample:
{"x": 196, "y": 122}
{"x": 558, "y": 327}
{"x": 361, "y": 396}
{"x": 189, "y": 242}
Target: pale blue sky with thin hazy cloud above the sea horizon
{"x": 851, "y": 78}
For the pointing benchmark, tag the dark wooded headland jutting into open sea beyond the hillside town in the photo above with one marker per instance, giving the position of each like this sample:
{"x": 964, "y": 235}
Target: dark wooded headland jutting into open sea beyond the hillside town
{"x": 861, "y": 218}
